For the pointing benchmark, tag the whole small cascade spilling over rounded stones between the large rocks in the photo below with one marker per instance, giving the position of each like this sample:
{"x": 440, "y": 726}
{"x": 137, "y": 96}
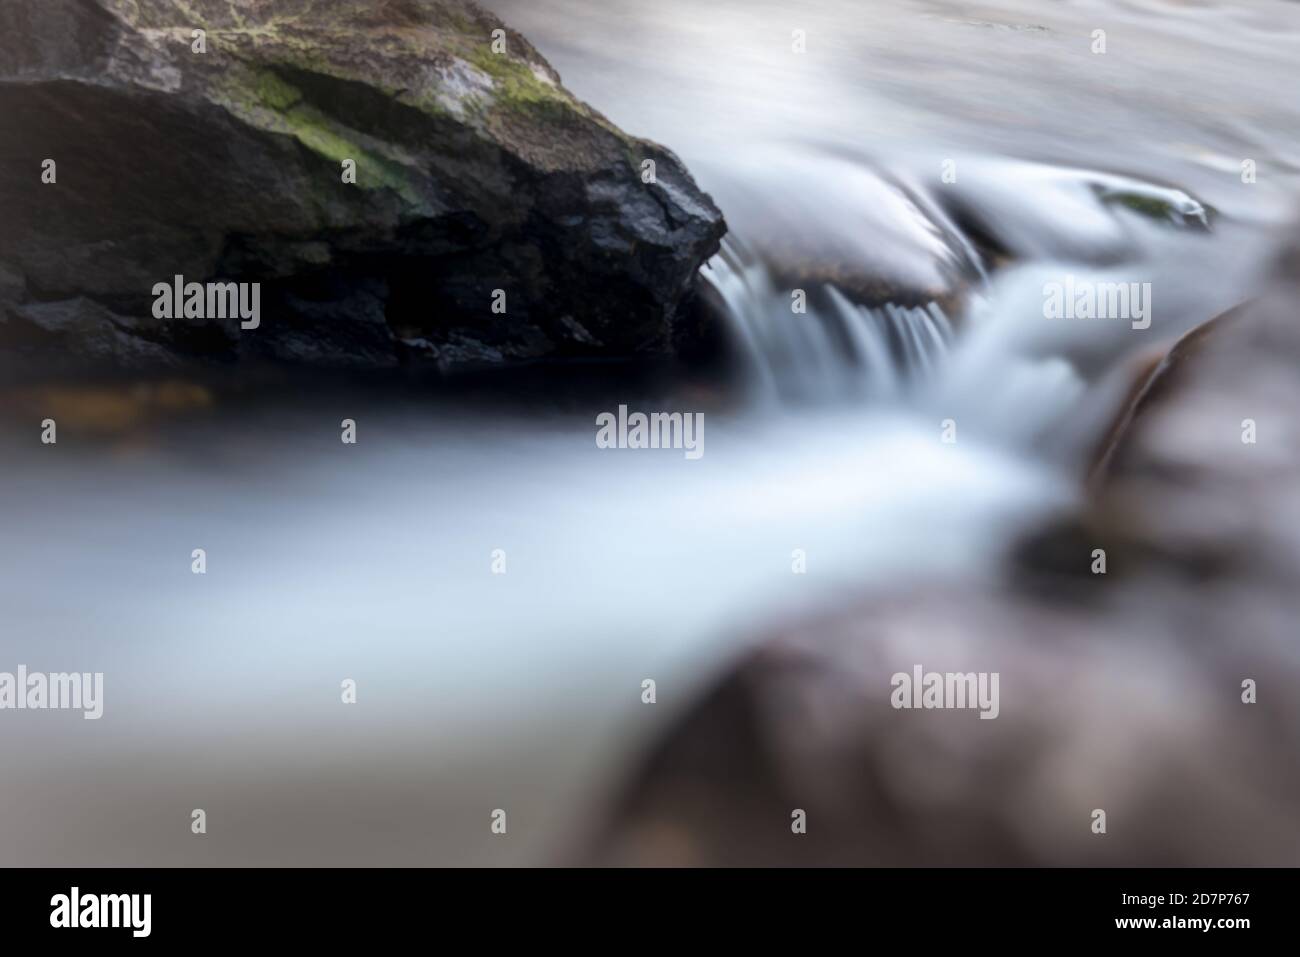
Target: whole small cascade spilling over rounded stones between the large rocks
{"x": 1013, "y": 376}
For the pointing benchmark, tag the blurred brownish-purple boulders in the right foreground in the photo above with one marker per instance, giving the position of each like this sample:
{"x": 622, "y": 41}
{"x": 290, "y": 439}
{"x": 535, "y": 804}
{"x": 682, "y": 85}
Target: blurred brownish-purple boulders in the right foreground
{"x": 1121, "y": 692}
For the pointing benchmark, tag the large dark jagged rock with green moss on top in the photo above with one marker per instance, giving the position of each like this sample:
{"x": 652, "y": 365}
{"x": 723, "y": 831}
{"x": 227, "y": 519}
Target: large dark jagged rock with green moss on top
{"x": 475, "y": 172}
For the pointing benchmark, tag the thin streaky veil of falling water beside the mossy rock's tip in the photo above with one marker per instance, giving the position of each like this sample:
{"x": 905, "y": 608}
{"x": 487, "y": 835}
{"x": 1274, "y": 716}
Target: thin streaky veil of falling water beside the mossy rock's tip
{"x": 837, "y": 349}
